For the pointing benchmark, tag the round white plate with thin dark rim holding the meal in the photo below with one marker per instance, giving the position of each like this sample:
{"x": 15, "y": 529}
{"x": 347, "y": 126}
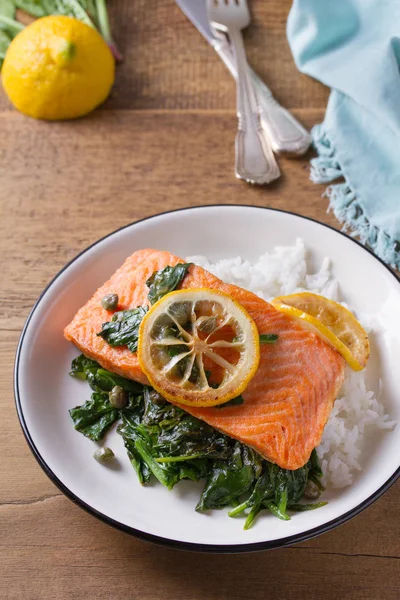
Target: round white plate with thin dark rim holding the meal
{"x": 44, "y": 391}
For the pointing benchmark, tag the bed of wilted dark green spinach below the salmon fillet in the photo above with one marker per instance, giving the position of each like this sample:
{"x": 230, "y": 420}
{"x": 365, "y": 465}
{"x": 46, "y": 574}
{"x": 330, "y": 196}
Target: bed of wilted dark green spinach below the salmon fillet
{"x": 165, "y": 442}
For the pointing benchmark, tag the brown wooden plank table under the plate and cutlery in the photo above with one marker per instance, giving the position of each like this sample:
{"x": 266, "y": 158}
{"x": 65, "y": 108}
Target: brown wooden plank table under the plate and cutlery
{"x": 163, "y": 140}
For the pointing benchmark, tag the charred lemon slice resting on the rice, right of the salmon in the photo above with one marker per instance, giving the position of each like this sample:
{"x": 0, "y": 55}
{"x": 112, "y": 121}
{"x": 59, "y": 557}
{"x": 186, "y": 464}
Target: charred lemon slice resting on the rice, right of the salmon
{"x": 334, "y": 323}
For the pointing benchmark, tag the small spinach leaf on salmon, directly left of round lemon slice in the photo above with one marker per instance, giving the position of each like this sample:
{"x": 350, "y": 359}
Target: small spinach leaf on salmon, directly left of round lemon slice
{"x": 123, "y": 329}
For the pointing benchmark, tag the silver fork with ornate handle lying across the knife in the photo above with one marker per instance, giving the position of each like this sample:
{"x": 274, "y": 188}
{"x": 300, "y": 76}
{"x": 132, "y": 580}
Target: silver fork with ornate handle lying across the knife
{"x": 255, "y": 161}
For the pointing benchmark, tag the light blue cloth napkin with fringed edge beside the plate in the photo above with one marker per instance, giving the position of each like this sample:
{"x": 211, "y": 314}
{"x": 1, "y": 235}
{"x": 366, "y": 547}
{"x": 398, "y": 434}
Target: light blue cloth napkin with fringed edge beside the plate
{"x": 353, "y": 46}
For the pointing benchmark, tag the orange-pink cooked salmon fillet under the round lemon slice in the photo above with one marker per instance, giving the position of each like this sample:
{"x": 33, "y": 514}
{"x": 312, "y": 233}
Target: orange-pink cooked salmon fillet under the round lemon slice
{"x": 288, "y": 401}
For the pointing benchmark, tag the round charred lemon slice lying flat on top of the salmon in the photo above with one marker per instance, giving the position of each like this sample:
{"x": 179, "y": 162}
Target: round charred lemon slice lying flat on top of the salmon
{"x": 198, "y": 347}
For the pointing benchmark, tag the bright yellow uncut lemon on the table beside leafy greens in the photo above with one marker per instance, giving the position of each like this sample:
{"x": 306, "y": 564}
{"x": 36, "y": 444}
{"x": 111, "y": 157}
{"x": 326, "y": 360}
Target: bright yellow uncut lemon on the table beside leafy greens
{"x": 58, "y": 68}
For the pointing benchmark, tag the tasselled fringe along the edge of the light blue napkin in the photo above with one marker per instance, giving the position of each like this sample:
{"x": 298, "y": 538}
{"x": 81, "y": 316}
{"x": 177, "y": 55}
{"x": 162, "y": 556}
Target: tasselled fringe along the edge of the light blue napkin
{"x": 344, "y": 203}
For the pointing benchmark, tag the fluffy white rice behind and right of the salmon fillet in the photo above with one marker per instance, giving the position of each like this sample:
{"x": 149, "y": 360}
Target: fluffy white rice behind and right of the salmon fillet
{"x": 357, "y": 410}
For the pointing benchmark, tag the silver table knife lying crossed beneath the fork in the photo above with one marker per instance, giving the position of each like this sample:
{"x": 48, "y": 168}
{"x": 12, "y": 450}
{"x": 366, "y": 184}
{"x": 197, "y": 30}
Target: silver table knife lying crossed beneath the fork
{"x": 285, "y": 133}
